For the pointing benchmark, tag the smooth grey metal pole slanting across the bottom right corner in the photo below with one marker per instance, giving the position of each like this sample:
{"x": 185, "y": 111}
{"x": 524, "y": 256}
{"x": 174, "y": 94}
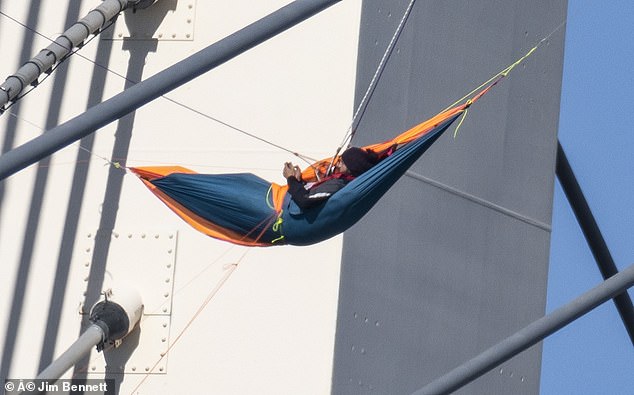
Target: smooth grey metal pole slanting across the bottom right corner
{"x": 530, "y": 335}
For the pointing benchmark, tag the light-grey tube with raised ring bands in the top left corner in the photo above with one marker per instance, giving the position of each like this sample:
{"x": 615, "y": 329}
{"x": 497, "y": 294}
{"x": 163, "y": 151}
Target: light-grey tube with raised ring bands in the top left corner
{"x": 61, "y": 47}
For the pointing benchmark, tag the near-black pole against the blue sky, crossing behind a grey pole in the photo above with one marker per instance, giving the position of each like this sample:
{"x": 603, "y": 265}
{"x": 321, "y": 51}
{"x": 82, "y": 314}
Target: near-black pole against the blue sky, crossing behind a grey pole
{"x": 593, "y": 236}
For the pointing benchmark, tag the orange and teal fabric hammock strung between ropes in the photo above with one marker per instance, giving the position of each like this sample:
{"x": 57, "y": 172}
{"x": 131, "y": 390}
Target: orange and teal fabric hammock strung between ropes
{"x": 248, "y": 210}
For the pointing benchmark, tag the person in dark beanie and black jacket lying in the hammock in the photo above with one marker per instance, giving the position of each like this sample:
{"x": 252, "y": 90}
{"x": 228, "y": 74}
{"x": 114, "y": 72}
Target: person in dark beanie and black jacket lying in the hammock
{"x": 353, "y": 162}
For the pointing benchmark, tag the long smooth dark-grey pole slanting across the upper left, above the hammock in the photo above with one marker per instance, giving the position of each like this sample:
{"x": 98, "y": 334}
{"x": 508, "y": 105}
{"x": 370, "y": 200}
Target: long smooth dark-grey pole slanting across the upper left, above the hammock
{"x": 159, "y": 84}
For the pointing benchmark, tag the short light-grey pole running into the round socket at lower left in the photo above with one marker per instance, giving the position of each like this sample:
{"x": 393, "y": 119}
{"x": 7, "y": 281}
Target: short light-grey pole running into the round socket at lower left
{"x": 93, "y": 336}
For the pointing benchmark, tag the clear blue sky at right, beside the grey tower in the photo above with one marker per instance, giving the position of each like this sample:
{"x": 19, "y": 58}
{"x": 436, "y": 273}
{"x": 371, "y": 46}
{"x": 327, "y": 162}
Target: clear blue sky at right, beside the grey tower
{"x": 594, "y": 354}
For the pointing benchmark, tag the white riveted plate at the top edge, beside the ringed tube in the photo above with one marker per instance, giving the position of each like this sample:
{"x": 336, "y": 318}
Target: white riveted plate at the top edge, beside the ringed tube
{"x": 165, "y": 20}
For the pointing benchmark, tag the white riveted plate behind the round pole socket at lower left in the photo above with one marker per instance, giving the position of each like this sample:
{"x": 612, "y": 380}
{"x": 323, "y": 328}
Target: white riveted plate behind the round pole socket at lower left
{"x": 145, "y": 262}
